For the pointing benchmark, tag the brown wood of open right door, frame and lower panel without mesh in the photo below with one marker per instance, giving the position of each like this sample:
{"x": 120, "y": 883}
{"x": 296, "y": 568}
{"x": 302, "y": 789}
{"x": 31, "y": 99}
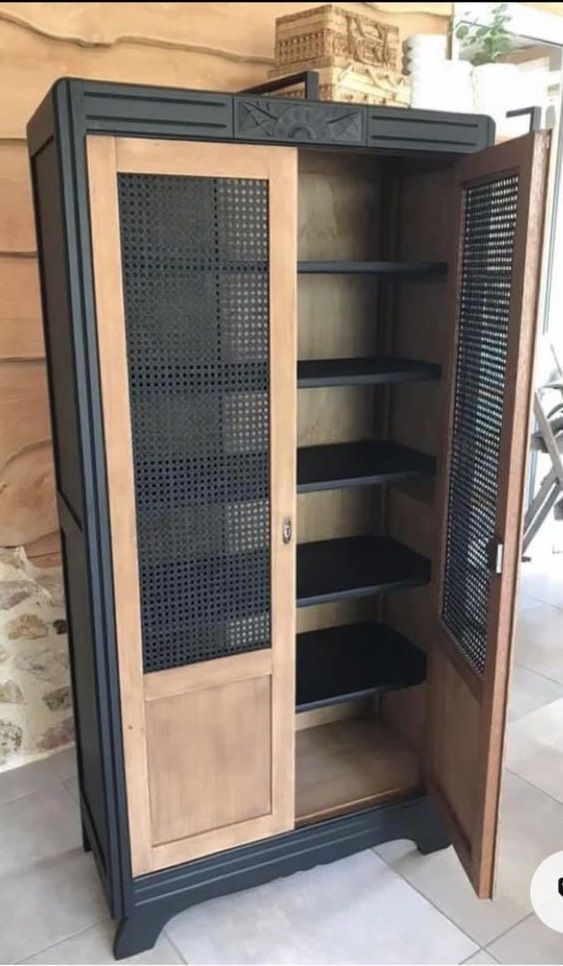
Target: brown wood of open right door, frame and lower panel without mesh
{"x": 472, "y": 791}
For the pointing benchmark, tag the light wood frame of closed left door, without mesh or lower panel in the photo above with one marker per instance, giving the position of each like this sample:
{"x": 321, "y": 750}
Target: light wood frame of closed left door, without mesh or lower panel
{"x": 106, "y": 156}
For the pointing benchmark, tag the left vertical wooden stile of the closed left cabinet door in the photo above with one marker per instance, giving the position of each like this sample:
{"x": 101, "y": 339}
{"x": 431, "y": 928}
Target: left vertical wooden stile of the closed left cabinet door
{"x": 112, "y": 349}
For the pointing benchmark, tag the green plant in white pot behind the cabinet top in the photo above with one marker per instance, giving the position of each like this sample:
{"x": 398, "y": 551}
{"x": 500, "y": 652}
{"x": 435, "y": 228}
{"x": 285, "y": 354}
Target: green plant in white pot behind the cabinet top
{"x": 495, "y": 84}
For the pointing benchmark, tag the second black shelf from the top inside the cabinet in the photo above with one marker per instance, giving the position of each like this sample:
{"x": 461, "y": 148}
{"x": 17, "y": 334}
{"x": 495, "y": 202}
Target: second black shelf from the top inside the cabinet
{"x": 314, "y": 373}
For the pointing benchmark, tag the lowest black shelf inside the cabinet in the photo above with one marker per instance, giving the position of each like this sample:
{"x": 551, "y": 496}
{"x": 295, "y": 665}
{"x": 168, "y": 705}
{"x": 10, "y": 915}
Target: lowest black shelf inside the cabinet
{"x": 339, "y": 663}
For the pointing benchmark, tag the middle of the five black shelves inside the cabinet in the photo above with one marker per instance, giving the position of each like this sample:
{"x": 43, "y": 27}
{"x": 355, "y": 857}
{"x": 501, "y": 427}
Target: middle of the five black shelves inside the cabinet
{"x": 343, "y": 465}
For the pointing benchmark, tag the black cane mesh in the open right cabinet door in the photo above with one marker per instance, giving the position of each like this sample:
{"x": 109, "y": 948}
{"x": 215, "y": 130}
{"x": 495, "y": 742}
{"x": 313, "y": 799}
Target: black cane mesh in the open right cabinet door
{"x": 487, "y": 256}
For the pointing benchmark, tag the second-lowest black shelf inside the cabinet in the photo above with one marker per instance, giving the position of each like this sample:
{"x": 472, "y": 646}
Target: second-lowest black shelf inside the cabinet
{"x": 355, "y": 567}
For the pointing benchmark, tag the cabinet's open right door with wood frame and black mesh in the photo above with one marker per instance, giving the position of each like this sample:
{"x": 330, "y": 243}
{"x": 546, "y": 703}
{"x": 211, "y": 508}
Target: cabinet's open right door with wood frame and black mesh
{"x": 500, "y": 201}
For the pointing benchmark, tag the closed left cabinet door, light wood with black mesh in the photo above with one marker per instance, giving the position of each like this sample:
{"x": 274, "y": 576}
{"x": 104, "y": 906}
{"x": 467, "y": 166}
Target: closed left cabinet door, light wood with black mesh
{"x": 194, "y": 258}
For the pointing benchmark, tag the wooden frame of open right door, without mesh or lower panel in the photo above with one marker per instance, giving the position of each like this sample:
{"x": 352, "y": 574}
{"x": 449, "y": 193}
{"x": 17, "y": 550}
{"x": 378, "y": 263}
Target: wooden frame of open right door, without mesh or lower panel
{"x": 526, "y": 157}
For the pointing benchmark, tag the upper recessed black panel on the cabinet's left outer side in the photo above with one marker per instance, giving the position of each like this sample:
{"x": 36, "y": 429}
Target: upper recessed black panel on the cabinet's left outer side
{"x": 58, "y": 326}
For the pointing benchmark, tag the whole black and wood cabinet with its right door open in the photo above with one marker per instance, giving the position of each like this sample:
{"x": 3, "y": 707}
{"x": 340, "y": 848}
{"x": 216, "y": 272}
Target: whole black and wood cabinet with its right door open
{"x": 290, "y": 353}
